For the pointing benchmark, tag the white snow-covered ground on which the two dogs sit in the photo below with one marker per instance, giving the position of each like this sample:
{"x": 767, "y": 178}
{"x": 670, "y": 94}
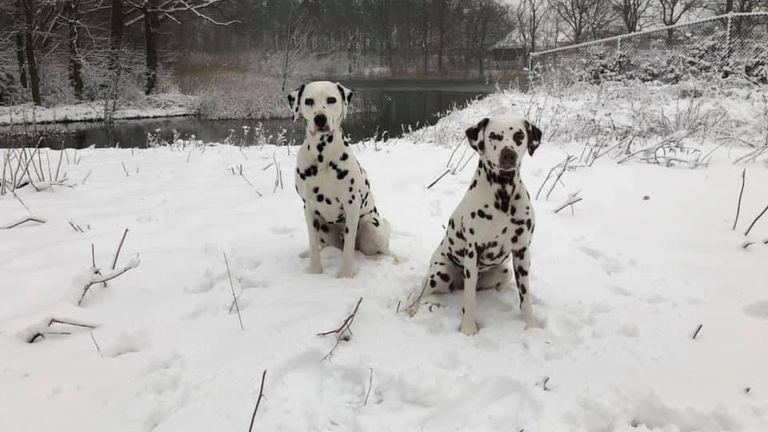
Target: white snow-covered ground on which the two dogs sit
{"x": 621, "y": 285}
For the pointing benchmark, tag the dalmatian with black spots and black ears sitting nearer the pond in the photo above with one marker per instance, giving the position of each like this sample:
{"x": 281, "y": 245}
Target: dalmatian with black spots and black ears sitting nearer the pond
{"x": 338, "y": 203}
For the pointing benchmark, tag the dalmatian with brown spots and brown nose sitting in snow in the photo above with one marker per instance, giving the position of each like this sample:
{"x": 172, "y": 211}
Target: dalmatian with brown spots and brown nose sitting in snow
{"x": 492, "y": 226}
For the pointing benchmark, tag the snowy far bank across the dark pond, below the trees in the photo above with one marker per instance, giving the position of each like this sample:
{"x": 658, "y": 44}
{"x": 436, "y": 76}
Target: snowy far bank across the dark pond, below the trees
{"x": 163, "y": 105}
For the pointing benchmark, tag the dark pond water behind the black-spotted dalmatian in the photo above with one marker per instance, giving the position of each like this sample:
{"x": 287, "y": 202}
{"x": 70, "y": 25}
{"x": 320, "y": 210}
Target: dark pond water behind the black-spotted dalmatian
{"x": 387, "y": 108}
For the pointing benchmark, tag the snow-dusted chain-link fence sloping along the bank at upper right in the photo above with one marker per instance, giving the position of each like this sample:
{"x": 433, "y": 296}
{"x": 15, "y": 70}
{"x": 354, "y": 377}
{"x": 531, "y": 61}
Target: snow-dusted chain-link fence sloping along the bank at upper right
{"x": 725, "y": 45}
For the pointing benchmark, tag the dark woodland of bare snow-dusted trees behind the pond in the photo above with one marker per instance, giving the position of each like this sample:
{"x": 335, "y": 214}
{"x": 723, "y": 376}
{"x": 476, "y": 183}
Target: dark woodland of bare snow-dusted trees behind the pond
{"x": 240, "y": 56}
